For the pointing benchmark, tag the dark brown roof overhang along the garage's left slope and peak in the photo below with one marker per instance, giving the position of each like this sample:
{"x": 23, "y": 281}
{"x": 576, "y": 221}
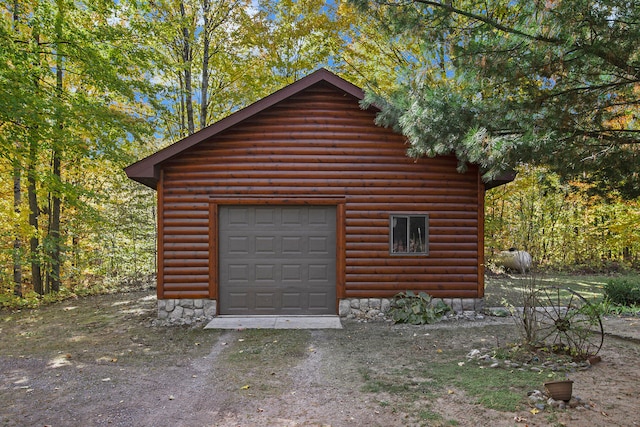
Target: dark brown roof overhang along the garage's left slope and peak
{"x": 147, "y": 171}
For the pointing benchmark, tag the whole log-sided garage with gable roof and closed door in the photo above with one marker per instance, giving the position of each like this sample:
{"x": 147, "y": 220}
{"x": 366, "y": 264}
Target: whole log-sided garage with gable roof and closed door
{"x": 300, "y": 202}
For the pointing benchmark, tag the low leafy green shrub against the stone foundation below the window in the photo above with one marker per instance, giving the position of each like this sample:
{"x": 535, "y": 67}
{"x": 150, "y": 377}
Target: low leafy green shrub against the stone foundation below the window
{"x": 416, "y": 309}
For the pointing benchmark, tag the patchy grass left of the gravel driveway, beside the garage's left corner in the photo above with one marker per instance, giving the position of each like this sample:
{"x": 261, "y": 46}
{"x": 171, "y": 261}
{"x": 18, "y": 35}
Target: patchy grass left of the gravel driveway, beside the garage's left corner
{"x": 92, "y": 330}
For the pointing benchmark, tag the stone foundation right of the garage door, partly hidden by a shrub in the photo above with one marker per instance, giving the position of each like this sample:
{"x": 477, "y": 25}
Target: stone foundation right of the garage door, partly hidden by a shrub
{"x": 377, "y": 308}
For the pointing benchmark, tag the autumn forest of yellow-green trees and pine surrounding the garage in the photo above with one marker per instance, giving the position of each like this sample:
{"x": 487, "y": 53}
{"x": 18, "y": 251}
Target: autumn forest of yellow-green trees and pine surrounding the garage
{"x": 88, "y": 87}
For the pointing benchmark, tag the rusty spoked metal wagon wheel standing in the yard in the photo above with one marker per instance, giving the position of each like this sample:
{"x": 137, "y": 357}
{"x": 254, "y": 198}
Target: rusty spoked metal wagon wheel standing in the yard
{"x": 568, "y": 324}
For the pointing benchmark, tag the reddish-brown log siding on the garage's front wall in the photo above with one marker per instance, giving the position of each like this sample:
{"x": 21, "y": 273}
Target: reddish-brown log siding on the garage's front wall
{"x": 319, "y": 143}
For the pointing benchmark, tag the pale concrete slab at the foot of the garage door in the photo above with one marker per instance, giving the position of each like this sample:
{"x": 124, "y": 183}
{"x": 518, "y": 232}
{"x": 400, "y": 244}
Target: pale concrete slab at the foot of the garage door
{"x": 275, "y": 322}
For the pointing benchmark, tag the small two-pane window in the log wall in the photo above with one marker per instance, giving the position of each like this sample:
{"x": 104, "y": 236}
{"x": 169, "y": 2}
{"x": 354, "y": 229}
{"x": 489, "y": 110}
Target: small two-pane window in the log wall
{"x": 409, "y": 234}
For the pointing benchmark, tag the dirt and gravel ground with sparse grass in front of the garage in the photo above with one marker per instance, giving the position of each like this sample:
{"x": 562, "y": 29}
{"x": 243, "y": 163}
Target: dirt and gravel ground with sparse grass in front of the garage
{"x": 100, "y": 361}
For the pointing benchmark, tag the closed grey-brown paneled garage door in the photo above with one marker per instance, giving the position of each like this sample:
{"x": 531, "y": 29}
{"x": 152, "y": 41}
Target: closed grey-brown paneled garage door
{"x": 277, "y": 260}
